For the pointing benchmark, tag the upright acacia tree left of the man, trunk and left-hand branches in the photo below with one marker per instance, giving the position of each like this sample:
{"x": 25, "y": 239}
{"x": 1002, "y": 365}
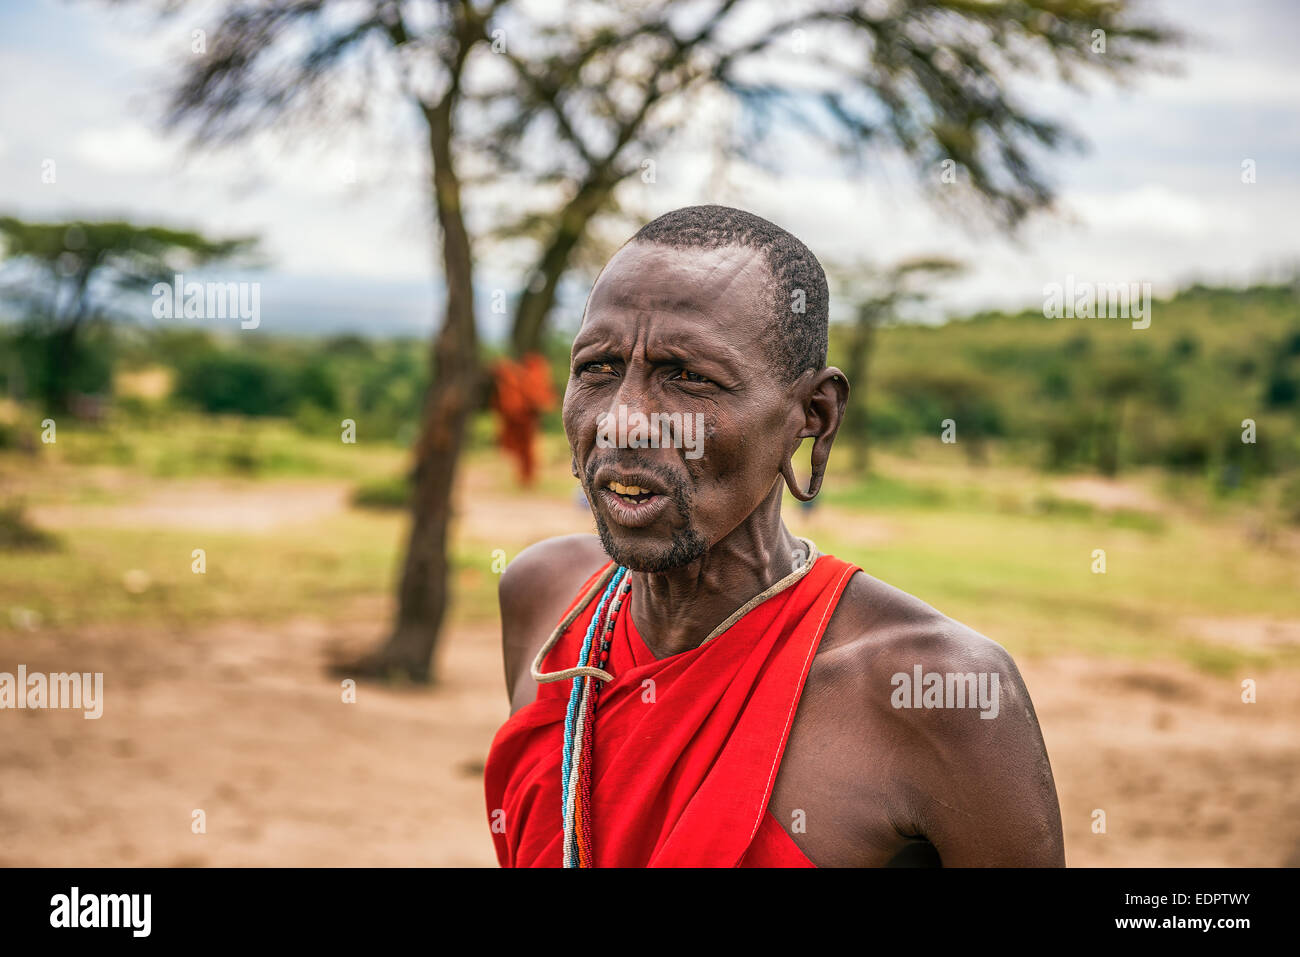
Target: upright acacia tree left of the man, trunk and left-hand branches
{"x": 314, "y": 62}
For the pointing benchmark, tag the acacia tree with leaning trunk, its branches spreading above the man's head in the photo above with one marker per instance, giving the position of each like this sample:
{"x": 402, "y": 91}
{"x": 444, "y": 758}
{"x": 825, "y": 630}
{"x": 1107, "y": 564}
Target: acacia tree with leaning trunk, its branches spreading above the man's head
{"x": 608, "y": 85}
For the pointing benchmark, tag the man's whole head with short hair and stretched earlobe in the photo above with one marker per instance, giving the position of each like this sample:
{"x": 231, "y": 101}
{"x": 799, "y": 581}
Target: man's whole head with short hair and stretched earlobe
{"x": 708, "y": 317}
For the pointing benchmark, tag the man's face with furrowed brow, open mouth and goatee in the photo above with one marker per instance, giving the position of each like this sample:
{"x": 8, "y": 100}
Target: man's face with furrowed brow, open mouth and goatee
{"x": 674, "y": 336}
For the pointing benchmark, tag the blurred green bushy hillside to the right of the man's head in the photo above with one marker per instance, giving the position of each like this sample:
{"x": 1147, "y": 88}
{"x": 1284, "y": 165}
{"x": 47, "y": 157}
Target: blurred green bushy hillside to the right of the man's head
{"x": 1097, "y": 395}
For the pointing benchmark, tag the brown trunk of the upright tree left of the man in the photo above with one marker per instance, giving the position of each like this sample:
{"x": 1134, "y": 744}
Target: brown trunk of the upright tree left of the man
{"x": 423, "y": 595}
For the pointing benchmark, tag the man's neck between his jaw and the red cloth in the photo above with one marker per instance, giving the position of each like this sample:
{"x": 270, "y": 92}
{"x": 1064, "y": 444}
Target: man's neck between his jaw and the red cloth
{"x": 675, "y": 612}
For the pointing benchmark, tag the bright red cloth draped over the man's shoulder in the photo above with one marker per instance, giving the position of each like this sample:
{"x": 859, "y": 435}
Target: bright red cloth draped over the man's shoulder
{"x": 681, "y": 781}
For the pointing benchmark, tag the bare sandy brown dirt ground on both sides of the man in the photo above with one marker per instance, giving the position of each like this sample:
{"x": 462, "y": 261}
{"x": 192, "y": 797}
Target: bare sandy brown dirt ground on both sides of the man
{"x": 245, "y": 724}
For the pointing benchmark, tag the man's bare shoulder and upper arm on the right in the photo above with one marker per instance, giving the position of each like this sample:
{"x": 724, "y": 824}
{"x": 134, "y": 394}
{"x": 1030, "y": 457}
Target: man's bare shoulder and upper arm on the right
{"x": 912, "y": 692}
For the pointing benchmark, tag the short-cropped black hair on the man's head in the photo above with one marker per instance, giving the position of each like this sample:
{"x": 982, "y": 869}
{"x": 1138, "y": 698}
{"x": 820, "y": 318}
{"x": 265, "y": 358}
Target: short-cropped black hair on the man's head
{"x": 799, "y": 339}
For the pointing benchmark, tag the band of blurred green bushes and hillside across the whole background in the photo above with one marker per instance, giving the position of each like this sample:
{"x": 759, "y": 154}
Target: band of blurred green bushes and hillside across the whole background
{"x": 1058, "y": 395}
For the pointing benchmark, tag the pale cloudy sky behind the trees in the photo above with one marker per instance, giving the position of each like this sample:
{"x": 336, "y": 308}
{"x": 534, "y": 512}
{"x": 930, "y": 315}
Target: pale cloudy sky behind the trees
{"x": 1158, "y": 196}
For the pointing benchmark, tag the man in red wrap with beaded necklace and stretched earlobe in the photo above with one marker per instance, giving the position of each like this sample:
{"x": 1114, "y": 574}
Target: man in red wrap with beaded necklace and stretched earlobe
{"x": 734, "y": 699}
